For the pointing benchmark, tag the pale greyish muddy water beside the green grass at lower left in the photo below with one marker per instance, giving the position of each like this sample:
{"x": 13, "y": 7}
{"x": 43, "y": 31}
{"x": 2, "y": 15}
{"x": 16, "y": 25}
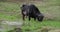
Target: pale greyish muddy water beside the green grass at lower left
{"x": 8, "y": 25}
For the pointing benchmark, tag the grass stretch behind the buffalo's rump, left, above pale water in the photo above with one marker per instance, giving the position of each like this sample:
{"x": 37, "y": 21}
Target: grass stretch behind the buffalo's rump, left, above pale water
{"x": 9, "y": 11}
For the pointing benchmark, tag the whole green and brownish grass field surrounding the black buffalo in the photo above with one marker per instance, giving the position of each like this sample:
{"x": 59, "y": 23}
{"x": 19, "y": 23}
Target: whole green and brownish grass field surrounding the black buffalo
{"x": 11, "y": 11}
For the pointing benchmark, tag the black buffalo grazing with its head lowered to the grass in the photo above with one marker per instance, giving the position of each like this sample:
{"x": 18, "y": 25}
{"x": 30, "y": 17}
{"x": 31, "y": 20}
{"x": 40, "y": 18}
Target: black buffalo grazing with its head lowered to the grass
{"x": 31, "y": 11}
